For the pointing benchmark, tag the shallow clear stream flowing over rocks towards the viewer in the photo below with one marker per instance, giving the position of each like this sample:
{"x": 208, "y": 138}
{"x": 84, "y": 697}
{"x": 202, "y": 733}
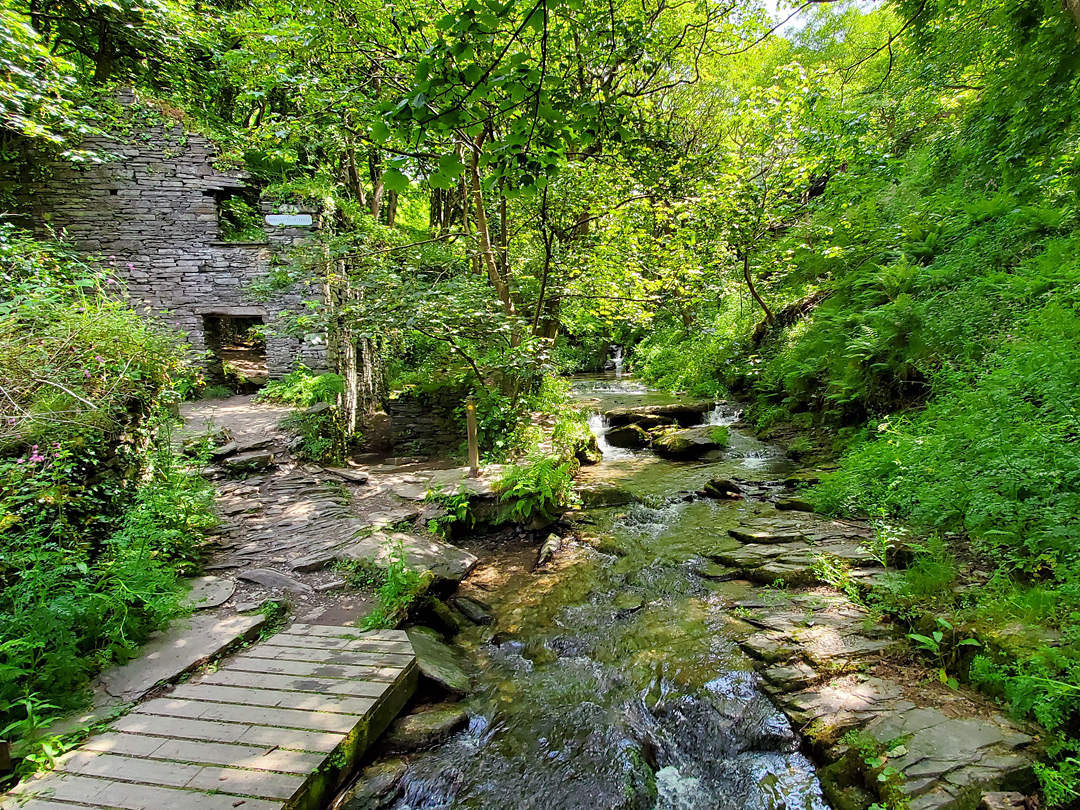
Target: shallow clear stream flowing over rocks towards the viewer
{"x": 612, "y": 680}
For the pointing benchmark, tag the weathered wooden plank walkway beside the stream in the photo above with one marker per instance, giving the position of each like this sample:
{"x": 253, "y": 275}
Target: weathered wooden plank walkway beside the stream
{"x": 276, "y": 728}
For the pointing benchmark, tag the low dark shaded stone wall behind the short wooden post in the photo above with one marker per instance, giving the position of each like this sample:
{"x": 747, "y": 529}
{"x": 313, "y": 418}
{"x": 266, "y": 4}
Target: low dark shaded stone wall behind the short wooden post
{"x": 426, "y": 423}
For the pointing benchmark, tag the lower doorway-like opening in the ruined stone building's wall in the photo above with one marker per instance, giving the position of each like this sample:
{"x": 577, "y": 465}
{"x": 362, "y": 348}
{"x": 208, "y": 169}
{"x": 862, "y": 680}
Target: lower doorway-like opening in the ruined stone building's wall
{"x": 237, "y": 350}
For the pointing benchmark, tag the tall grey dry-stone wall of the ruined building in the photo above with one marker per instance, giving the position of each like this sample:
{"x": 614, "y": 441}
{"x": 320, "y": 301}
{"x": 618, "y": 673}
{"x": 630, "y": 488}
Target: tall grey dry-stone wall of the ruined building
{"x": 151, "y": 213}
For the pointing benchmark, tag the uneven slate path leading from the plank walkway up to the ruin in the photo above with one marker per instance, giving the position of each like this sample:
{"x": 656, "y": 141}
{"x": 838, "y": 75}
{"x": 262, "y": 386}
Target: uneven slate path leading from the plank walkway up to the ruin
{"x": 286, "y": 524}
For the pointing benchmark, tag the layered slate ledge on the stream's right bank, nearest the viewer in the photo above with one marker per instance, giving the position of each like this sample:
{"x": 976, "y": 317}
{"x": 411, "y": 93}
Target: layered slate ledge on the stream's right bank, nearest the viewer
{"x": 832, "y": 670}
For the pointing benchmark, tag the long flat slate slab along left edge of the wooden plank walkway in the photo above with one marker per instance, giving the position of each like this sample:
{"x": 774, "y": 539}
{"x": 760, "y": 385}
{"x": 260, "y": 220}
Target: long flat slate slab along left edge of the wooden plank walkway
{"x": 182, "y": 649}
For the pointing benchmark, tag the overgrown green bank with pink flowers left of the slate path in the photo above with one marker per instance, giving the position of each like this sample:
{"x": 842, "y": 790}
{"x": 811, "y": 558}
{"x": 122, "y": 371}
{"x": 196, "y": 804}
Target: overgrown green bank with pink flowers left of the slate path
{"x": 98, "y": 517}
